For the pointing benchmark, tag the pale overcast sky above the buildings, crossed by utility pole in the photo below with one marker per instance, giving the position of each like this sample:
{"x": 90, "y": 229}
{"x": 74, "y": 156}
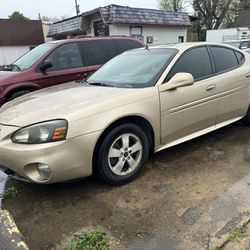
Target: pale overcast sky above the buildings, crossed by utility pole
{"x": 59, "y": 8}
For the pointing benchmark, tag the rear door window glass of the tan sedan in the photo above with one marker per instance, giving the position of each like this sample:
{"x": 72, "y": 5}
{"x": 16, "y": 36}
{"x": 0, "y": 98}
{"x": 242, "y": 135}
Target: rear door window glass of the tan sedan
{"x": 224, "y": 59}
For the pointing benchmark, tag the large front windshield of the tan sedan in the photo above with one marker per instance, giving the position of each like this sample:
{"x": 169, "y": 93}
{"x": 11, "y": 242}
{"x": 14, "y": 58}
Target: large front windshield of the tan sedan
{"x": 134, "y": 69}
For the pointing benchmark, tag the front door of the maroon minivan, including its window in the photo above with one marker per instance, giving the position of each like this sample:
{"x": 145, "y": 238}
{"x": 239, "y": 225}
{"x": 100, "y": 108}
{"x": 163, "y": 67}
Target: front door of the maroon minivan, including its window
{"x": 67, "y": 65}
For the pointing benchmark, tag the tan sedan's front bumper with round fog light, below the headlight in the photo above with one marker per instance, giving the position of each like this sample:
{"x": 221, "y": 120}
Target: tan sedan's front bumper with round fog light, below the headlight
{"x": 68, "y": 160}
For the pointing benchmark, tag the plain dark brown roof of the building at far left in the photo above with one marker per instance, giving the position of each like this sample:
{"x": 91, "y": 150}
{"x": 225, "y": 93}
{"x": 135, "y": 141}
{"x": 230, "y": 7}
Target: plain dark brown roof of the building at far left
{"x": 25, "y": 32}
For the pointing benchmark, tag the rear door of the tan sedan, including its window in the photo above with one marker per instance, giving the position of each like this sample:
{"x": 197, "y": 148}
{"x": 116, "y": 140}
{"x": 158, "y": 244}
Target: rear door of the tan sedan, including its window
{"x": 232, "y": 83}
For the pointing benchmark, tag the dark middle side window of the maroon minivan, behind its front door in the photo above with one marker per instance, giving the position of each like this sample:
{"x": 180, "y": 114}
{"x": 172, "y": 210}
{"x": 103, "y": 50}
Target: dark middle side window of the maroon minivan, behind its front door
{"x": 98, "y": 52}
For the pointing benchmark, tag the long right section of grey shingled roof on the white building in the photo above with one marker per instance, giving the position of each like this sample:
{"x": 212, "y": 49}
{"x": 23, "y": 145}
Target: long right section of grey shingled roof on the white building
{"x": 127, "y": 15}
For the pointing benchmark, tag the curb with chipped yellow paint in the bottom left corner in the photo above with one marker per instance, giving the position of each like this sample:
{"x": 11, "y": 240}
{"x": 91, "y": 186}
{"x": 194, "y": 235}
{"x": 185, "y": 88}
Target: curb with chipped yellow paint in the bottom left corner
{"x": 10, "y": 236}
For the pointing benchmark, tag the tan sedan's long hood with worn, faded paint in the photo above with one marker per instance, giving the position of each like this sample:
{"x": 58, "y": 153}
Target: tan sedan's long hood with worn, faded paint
{"x": 69, "y": 101}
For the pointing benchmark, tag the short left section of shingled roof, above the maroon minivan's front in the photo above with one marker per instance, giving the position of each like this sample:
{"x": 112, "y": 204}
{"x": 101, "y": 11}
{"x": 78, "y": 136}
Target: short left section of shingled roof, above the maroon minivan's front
{"x": 67, "y": 26}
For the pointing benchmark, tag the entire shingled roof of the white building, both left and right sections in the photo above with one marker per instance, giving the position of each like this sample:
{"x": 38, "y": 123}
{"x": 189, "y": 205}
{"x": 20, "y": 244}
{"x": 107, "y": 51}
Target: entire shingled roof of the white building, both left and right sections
{"x": 117, "y": 14}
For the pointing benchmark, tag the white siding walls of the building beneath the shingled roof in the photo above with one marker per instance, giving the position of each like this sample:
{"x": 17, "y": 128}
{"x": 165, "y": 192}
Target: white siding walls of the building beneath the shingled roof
{"x": 161, "y": 35}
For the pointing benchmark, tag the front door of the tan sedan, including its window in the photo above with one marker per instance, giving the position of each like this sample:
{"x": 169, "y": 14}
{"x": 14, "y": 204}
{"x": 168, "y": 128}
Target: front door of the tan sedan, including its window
{"x": 187, "y": 111}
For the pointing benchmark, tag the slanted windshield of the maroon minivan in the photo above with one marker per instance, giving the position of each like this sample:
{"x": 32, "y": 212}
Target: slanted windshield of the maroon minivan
{"x": 30, "y": 58}
